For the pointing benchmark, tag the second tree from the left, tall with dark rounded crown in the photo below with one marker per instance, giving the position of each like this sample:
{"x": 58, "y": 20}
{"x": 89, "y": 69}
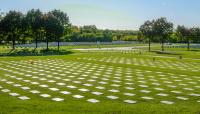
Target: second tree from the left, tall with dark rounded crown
{"x": 34, "y": 23}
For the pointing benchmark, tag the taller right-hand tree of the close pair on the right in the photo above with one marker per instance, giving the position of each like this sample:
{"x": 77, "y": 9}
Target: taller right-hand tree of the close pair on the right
{"x": 163, "y": 29}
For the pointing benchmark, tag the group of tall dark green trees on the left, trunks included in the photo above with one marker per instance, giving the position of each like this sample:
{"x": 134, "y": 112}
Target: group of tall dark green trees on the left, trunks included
{"x": 33, "y": 26}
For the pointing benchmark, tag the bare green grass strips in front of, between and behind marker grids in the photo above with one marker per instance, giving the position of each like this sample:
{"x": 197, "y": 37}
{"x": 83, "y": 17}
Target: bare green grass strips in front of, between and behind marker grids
{"x": 41, "y": 106}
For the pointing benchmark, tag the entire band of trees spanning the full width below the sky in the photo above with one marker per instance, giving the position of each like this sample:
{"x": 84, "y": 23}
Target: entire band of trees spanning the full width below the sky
{"x": 54, "y": 26}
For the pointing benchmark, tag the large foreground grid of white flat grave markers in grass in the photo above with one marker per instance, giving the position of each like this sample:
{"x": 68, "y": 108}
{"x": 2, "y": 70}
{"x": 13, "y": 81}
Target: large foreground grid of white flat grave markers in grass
{"x": 95, "y": 83}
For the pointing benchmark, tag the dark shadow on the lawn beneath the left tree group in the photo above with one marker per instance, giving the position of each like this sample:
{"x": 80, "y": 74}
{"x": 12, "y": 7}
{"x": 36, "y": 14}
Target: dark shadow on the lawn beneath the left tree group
{"x": 35, "y": 52}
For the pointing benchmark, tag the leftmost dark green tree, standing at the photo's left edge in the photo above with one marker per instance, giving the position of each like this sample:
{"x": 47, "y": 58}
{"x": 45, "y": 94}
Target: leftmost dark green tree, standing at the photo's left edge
{"x": 11, "y": 24}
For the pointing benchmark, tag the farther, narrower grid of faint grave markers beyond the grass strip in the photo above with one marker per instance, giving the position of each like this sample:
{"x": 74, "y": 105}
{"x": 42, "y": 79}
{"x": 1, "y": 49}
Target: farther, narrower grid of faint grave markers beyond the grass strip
{"x": 169, "y": 64}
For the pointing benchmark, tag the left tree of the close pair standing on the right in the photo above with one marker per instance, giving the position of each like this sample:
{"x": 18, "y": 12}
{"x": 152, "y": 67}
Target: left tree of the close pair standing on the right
{"x": 147, "y": 29}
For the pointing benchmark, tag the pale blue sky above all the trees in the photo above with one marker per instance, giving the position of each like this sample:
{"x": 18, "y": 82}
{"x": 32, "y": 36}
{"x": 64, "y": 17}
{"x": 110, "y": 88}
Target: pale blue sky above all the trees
{"x": 115, "y": 14}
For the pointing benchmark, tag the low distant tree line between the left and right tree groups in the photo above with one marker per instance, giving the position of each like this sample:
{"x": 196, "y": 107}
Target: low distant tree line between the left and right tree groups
{"x": 90, "y": 33}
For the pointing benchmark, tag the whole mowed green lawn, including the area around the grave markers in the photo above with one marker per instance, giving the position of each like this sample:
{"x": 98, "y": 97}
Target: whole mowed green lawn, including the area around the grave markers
{"x": 129, "y": 75}
